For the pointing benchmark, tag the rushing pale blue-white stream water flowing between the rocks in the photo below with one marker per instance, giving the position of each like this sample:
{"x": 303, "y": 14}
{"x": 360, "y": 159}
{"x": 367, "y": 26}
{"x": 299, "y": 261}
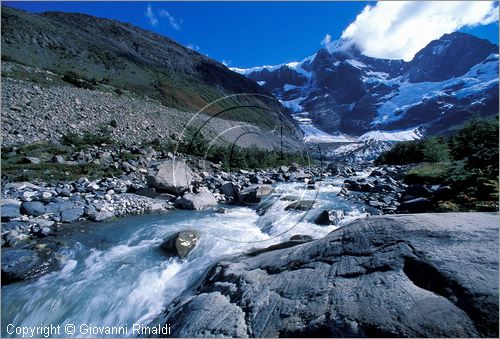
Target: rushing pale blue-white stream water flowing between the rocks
{"x": 115, "y": 274}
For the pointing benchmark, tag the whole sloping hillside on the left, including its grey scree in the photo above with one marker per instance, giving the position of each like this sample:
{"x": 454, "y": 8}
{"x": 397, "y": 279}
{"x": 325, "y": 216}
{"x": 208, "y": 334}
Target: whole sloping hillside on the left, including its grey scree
{"x": 99, "y": 70}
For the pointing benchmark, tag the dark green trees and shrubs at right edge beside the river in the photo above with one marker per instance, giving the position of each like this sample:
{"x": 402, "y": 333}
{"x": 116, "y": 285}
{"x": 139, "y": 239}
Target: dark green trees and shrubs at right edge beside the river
{"x": 467, "y": 162}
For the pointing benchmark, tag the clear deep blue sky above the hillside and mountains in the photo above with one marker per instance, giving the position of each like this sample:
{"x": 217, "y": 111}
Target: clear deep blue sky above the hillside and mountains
{"x": 242, "y": 34}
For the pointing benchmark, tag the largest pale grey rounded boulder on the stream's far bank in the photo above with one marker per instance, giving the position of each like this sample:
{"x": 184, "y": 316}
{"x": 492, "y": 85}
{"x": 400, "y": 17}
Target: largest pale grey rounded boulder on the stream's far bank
{"x": 171, "y": 176}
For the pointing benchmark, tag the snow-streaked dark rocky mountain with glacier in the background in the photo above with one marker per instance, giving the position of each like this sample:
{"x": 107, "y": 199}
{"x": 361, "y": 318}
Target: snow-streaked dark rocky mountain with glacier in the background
{"x": 449, "y": 81}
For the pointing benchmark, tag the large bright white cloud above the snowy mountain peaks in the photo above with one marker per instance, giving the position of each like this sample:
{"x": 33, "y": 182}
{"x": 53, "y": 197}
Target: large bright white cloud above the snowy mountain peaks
{"x": 399, "y": 29}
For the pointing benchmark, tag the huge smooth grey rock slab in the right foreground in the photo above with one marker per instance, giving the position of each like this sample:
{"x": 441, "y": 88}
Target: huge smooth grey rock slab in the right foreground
{"x": 425, "y": 275}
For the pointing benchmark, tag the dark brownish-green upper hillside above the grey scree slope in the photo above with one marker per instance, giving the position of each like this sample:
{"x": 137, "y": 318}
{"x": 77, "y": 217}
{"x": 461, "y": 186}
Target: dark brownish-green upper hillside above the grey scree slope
{"x": 133, "y": 59}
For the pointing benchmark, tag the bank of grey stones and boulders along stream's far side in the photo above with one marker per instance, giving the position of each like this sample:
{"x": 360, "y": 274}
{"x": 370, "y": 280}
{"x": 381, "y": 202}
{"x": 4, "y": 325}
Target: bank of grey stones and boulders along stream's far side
{"x": 158, "y": 182}
